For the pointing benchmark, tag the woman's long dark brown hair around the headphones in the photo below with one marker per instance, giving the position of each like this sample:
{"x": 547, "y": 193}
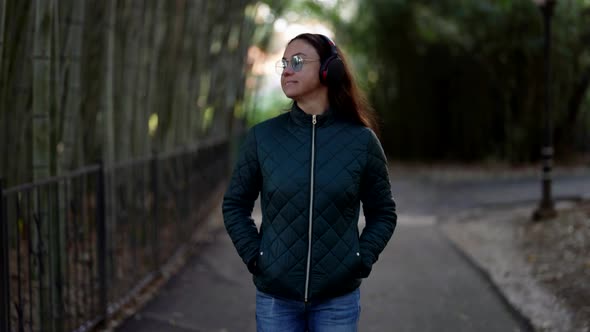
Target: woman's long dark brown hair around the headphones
{"x": 346, "y": 98}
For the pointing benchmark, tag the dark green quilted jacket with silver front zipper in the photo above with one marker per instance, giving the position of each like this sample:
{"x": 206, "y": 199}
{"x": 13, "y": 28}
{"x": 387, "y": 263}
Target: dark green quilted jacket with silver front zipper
{"x": 312, "y": 174}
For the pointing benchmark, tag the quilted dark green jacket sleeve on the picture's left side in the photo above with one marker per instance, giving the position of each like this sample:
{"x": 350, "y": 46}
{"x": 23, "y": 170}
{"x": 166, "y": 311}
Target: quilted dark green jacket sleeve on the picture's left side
{"x": 238, "y": 202}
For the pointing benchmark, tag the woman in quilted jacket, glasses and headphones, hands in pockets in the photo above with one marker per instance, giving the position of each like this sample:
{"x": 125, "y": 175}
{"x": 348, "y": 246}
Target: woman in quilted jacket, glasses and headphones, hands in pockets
{"x": 312, "y": 166}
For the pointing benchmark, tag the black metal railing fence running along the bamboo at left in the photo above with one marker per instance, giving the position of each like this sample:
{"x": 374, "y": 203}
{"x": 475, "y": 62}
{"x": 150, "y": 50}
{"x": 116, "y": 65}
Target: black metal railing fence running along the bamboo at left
{"x": 75, "y": 248}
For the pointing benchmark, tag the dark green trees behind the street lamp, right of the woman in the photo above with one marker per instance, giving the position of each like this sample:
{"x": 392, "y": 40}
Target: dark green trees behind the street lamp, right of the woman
{"x": 464, "y": 80}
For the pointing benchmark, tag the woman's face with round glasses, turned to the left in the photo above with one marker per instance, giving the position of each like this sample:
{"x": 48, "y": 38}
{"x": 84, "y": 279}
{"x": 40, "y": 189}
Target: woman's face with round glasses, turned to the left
{"x": 298, "y": 85}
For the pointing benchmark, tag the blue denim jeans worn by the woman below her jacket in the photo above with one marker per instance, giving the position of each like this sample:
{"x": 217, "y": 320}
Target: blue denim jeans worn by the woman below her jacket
{"x": 340, "y": 314}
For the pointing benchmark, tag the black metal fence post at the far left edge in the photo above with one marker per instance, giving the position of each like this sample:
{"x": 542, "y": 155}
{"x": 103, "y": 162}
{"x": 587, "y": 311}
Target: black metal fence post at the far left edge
{"x": 4, "y": 265}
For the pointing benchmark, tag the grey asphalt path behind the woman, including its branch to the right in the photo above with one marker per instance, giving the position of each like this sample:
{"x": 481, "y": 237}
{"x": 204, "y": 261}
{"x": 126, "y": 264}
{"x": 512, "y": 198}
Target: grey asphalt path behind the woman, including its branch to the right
{"x": 420, "y": 283}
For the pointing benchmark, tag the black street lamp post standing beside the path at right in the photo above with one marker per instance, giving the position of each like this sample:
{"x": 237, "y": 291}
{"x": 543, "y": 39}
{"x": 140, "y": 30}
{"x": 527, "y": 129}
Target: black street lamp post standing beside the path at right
{"x": 546, "y": 209}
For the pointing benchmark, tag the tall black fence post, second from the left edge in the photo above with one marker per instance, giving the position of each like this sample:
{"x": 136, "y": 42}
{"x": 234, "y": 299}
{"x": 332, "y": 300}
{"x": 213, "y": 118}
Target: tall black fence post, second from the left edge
{"x": 101, "y": 245}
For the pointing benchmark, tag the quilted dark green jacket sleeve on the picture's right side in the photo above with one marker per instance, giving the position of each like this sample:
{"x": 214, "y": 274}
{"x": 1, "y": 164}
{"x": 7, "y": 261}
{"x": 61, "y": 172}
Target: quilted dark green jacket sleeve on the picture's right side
{"x": 378, "y": 206}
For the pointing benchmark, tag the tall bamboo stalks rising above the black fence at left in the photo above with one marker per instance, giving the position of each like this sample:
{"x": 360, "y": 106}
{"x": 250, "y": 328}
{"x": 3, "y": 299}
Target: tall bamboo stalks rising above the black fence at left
{"x": 84, "y": 80}
